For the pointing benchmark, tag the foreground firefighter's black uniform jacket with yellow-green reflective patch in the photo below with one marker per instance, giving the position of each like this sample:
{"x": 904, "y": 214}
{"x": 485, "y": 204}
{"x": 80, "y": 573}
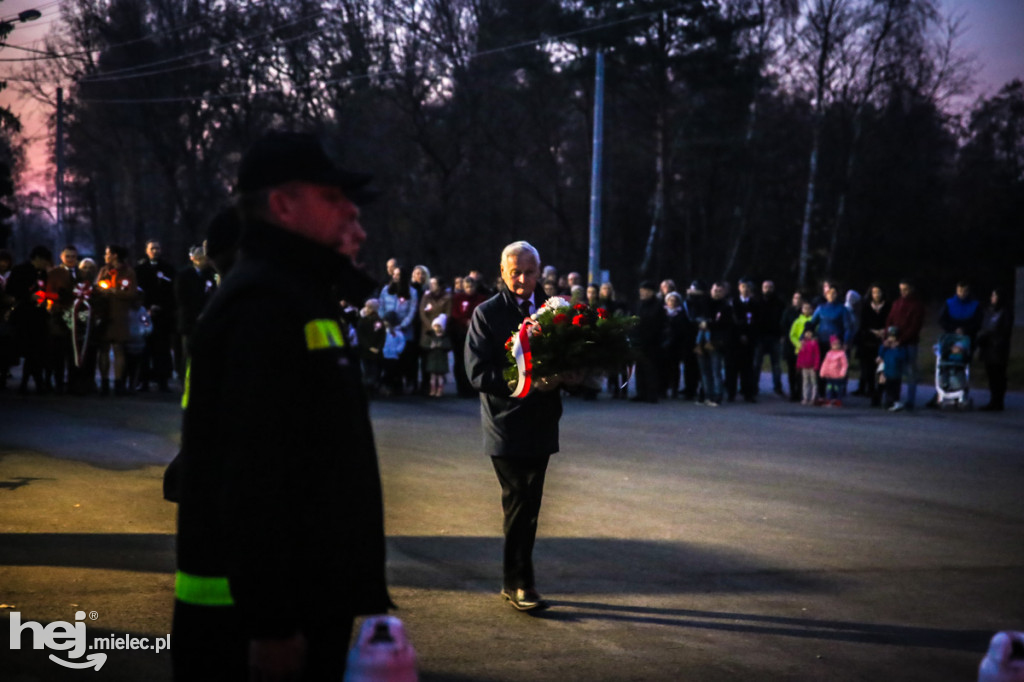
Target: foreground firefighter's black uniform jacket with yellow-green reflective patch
{"x": 278, "y": 482}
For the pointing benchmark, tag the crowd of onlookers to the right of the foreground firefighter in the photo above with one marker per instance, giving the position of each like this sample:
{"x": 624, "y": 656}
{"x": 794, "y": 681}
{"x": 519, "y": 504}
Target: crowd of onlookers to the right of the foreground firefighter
{"x": 703, "y": 345}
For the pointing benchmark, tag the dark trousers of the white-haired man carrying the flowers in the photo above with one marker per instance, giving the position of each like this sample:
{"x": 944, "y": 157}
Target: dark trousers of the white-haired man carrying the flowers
{"x": 523, "y": 489}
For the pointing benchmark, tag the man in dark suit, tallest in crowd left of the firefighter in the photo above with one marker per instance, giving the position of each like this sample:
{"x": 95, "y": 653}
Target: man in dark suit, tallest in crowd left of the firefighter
{"x": 156, "y": 279}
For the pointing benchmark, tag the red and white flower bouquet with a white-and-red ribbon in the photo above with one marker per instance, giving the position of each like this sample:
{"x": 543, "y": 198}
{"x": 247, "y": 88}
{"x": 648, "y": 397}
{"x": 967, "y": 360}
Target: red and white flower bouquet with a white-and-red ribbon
{"x": 564, "y": 338}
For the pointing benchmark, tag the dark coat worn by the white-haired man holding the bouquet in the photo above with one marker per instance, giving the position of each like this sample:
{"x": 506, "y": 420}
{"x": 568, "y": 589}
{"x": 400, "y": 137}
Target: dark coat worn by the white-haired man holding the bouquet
{"x": 513, "y": 428}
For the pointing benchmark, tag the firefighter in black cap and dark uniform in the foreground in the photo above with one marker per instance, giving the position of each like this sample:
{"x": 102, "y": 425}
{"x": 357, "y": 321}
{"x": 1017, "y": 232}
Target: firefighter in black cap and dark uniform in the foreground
{"x": 281, "y": 538}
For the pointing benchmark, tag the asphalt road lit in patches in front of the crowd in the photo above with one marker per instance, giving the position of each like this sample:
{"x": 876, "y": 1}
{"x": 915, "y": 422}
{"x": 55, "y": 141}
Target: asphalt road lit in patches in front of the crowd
{"x": 769, "y": 542}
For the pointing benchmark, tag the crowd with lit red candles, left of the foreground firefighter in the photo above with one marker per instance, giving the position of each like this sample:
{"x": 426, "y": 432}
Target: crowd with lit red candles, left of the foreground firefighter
{"x": 71, "y": 323}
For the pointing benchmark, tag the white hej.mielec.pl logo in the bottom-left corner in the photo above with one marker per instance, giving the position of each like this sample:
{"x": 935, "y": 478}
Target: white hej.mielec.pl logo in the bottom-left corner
{"x": 71, "y": 637}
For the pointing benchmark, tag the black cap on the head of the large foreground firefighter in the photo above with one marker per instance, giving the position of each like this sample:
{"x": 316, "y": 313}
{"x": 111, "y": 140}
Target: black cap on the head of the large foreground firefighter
{"x": 282, "y": 157}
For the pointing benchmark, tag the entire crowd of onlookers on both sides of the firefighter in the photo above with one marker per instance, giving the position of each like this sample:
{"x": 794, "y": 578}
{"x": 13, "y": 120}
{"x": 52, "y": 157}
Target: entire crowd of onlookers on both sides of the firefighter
{"x": 74, "y": 322}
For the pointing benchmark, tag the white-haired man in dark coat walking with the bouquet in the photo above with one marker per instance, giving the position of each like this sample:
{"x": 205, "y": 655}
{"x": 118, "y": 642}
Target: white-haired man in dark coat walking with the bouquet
{"x": 520, "y": 435}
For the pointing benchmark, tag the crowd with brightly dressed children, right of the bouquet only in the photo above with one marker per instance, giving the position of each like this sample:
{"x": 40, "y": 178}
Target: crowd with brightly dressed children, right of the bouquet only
{"x": 721, "y": 342}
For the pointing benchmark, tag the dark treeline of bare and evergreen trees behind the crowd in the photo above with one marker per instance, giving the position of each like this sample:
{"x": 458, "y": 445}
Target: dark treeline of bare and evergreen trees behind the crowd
{"x": 778, "y": 139}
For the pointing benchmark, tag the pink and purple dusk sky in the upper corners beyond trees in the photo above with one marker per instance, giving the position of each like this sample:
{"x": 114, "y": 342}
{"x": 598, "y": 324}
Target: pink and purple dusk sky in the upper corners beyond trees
{"x": 994, "y": 32}
